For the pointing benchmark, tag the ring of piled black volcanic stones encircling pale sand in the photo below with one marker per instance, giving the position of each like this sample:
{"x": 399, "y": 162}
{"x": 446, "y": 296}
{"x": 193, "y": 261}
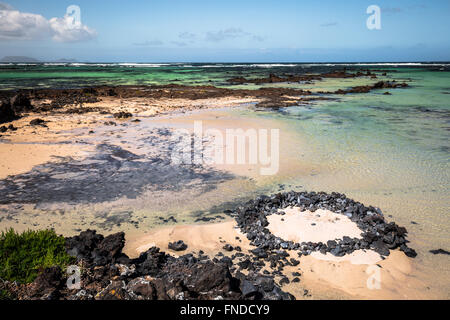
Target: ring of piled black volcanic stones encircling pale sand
{"x": 376, "y": 232}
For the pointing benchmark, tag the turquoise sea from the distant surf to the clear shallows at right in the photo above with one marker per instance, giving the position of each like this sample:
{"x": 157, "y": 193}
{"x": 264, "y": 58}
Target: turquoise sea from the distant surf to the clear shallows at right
{"x": 390, "y": 151}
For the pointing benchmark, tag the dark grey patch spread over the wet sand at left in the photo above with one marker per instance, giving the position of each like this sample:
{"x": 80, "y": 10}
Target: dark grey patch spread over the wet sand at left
{"x": 109, "y": 174}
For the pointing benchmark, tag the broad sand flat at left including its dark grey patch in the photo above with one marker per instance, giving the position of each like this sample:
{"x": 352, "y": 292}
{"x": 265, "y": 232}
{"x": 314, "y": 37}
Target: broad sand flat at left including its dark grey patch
{"x": 94, "y": 148}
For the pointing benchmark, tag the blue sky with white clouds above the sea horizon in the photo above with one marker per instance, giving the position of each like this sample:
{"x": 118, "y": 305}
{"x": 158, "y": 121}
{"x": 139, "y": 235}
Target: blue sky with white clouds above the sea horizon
{"x": 225, "y": 31}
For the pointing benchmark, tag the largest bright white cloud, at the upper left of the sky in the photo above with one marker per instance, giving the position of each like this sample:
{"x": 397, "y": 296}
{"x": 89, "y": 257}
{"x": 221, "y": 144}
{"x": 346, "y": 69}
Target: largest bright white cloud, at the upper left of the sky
{"x": 16, "y": 25}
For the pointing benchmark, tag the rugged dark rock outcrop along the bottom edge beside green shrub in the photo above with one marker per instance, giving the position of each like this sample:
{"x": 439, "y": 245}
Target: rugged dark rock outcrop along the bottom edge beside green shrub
{"x": 153, "y": 275}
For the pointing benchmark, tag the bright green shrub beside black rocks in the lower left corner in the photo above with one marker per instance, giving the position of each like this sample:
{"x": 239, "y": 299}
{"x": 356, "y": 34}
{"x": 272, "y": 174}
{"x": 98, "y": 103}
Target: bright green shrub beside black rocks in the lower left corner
{"x": 23, "y": 255}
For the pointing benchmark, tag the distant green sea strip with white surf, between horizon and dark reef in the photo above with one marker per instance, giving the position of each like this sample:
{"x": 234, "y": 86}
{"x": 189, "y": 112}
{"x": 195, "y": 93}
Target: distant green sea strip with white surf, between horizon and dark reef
{"x": 70, "y": 75}
